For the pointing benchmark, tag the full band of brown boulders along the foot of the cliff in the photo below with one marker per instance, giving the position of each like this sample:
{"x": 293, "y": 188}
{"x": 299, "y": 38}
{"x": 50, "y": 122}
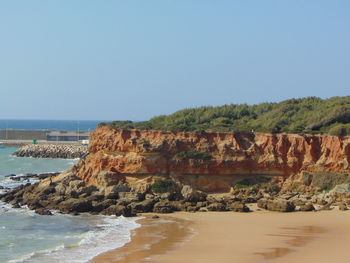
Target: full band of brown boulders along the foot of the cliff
{"x": 68, "y": 193}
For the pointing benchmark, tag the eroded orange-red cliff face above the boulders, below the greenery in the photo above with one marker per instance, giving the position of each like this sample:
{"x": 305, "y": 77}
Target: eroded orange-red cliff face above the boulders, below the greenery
{"x": 133, "y": 155}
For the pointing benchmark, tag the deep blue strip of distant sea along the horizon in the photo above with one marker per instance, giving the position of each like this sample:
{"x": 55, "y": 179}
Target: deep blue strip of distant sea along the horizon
{"x": 70, "y": 125}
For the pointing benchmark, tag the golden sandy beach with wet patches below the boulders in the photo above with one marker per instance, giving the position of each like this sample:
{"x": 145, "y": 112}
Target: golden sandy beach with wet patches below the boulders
{"x": 230, "y": 237}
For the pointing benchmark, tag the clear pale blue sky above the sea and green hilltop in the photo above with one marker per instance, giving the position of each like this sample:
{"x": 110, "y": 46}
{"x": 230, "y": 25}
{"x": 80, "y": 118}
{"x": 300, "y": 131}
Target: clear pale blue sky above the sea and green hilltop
{"x": 111, "y": 60}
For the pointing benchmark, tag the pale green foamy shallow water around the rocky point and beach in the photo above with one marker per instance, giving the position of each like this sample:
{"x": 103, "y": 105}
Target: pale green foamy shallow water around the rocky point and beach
{"x": 28, "y": 237}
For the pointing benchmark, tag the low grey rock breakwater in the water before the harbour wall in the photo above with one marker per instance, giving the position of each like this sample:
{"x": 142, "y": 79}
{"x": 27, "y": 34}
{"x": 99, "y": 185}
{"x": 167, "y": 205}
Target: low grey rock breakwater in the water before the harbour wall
{"x": 52, "y": 151}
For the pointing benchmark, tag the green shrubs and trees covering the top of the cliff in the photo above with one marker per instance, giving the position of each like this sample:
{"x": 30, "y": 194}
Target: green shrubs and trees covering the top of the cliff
{"x": 306, "y": 115}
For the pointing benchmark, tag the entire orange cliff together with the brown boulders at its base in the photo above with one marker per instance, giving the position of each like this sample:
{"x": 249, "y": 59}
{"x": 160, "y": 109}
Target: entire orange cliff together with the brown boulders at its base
{"x": 129, "y": 171}
